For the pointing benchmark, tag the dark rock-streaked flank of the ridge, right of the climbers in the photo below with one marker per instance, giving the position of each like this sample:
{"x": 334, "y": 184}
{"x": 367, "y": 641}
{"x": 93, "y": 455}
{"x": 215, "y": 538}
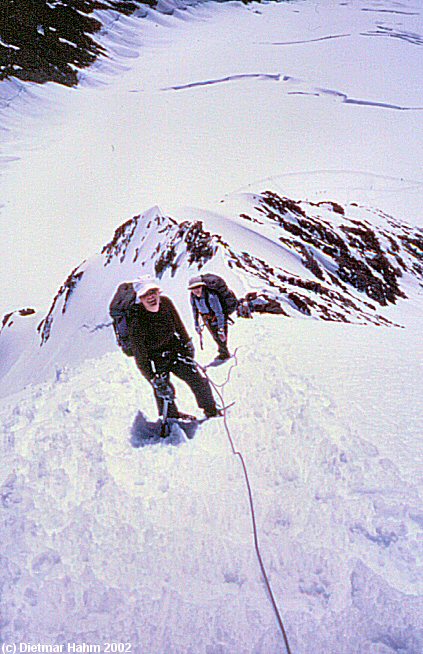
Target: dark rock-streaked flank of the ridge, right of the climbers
{"x": 345, "y": 254}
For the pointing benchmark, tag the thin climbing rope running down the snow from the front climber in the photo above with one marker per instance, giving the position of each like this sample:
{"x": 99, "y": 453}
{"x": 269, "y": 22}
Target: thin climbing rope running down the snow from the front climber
{"x": 219, "y": 389}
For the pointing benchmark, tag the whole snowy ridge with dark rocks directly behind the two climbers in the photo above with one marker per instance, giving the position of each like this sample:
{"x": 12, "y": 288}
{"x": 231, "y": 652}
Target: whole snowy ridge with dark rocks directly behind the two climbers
{"x": 295, "y": 259}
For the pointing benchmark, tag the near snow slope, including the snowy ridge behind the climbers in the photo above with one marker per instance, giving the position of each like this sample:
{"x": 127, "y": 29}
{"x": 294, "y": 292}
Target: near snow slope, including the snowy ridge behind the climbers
{"x": 153, "y": 547}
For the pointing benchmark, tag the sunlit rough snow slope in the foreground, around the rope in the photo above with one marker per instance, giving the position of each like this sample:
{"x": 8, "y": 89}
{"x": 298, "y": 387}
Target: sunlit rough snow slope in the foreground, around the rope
{"x": 154, "y": 546}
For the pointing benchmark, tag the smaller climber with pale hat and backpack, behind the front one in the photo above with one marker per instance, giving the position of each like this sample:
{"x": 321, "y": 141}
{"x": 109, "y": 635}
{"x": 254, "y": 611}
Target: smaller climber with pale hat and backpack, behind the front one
{"x": 212, "y": 302}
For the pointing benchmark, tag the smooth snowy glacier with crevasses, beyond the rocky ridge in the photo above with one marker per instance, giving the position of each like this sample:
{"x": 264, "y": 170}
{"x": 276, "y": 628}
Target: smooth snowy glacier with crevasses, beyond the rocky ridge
{"x": 206, "y": 101}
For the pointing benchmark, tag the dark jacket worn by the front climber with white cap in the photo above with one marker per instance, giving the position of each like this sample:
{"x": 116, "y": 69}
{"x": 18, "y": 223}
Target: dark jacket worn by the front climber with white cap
{"x": 151, "y": 334}
